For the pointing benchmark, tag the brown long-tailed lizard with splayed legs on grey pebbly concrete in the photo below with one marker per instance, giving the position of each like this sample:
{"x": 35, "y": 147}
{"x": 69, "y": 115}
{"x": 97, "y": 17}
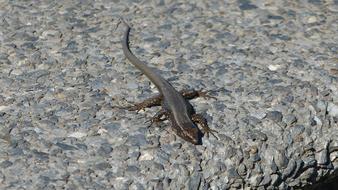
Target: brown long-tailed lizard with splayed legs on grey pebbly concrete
{"x": 175, "y": 105}
